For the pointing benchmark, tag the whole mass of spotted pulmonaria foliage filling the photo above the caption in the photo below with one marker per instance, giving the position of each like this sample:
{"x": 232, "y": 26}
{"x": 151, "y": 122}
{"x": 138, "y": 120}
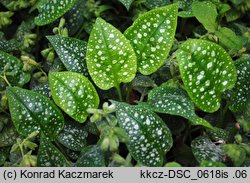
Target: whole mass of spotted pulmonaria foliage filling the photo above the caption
{"x": 167, "y": 100}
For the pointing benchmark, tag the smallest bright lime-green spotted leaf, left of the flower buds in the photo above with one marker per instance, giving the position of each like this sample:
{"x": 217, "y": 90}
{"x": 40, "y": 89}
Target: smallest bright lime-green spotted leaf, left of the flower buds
{"x": 73, "y": 93}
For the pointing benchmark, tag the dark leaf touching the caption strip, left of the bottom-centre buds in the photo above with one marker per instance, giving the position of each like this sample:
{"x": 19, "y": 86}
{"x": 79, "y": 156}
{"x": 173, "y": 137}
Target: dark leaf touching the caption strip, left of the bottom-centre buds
{"x": 91, "y": 156}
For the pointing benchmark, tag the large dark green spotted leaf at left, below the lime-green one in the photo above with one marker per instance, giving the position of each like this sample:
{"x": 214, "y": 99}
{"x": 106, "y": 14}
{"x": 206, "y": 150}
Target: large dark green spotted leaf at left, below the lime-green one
{"x": 31, "y": 111}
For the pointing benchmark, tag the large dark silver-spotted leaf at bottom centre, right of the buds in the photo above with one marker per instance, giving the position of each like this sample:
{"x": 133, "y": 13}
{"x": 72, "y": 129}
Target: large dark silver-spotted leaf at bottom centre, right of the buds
{"x": 149, "y": 137}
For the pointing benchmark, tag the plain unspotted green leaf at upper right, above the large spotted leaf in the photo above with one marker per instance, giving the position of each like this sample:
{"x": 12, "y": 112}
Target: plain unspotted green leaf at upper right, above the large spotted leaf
{"x": 228, "y": 39}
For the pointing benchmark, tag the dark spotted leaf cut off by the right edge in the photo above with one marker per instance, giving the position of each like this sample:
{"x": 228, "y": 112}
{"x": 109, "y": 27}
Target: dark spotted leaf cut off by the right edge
{"x": 240, "y": 94}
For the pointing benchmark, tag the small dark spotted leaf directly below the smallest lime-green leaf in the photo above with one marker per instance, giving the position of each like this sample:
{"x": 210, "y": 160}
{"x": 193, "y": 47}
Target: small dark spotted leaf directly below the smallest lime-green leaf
{"x": 73, "y": 136}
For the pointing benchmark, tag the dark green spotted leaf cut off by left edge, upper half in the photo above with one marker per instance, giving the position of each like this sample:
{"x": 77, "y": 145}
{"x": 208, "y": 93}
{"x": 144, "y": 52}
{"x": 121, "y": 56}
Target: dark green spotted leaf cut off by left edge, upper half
{"x": 12, "y": 68}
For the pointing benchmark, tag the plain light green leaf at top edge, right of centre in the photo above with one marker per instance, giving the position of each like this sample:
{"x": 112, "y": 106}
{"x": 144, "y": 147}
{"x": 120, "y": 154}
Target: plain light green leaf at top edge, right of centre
{"x": 206, "y": 14}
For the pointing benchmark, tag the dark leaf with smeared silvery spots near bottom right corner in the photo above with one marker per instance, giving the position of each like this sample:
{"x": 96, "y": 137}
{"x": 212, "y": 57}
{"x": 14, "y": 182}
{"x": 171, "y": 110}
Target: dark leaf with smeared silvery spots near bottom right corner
{"x": 205, "y": 150}
